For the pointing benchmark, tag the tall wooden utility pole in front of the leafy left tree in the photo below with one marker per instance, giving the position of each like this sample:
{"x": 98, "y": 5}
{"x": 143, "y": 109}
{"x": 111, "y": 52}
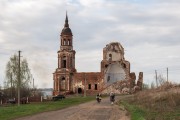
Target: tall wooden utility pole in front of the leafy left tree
{"x": 19, "y": 78}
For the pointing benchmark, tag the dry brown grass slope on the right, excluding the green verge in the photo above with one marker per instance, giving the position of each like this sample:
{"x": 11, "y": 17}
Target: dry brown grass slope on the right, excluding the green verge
{"x": 162, "y": 103}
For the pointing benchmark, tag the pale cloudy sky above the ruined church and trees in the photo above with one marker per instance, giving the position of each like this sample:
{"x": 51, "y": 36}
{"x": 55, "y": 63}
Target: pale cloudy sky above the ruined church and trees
{"x": 149, "y": 31}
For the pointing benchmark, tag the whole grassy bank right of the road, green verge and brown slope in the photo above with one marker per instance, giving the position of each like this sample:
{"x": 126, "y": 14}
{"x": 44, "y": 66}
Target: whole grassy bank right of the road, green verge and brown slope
{"x": 154, "y": 105}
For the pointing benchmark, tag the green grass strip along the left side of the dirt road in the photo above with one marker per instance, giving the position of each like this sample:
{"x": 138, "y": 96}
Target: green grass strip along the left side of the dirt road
{"x": 13, "y": 111}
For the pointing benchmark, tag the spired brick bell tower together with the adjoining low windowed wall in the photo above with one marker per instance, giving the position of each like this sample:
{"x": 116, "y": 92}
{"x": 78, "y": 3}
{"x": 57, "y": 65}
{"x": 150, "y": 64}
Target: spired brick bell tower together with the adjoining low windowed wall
{"x": 66, "y": 78}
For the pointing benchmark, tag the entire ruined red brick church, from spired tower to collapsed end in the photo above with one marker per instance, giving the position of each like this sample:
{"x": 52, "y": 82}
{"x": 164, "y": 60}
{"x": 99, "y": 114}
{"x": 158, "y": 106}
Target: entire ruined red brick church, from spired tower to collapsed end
{"x": 114, "y": 76}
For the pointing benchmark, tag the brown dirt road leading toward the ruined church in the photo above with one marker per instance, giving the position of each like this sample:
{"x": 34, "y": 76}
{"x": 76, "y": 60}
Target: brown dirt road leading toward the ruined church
{"x": 87, "y": 111}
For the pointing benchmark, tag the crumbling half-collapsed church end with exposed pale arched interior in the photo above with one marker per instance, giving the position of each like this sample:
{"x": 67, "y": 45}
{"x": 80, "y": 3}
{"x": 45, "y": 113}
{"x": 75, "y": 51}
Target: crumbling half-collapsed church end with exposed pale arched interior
{"x": 116, "y": 71}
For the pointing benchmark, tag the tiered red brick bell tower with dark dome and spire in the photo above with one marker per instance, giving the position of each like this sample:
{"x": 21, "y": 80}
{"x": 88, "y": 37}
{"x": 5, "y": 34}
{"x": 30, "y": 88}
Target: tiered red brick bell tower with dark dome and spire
{"x": 63, "y": 76}
